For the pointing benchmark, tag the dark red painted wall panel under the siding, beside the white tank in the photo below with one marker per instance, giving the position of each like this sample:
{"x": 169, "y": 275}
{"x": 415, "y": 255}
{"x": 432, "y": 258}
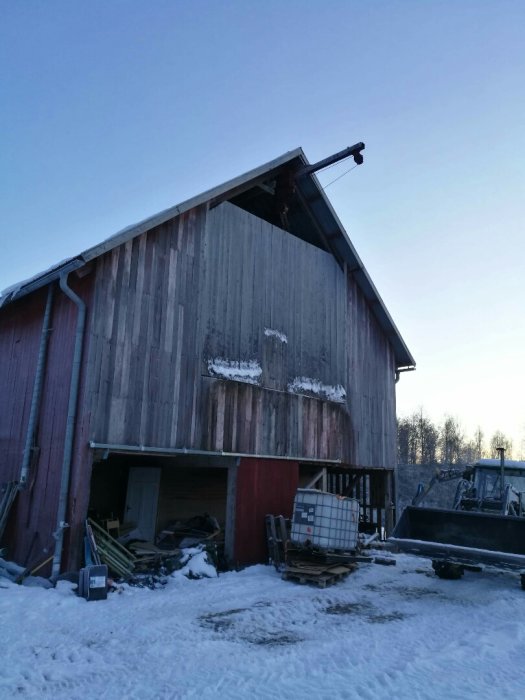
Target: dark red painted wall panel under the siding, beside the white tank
{"x": 264, "y": 486}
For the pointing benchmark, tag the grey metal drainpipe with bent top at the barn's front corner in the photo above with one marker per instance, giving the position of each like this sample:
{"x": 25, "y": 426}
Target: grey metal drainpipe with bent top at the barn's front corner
{"x": 70, "y": 423}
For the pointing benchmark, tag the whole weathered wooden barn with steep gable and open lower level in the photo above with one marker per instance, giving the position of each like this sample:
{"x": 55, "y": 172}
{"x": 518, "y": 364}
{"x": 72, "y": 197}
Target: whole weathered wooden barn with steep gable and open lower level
{"x": 211, "y": 358}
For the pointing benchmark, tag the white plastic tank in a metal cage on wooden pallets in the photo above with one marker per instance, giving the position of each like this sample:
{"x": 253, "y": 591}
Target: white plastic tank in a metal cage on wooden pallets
{"x": 325, "y": 520}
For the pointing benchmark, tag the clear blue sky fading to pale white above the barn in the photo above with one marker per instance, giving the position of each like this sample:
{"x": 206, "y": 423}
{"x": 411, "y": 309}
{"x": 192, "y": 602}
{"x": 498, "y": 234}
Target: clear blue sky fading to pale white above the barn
{"x": 111, "y": 111}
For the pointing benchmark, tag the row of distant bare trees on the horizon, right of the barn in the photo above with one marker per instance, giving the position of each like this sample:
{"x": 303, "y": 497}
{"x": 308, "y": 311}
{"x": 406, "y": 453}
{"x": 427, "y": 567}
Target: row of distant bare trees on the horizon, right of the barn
{"x": 420, "y": 441}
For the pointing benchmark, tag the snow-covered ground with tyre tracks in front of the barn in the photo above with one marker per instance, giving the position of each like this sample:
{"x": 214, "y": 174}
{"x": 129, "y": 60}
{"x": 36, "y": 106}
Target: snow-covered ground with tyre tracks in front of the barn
{"x": 385, "y": 632}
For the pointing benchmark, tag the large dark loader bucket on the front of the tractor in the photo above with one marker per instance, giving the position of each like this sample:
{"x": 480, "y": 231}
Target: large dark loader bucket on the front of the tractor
{"x": 463, "y": 537}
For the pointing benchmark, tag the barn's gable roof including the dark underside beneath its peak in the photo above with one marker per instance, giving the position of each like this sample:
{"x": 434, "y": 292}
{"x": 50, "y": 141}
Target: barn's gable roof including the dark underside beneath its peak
{"x": 312, "y": 213}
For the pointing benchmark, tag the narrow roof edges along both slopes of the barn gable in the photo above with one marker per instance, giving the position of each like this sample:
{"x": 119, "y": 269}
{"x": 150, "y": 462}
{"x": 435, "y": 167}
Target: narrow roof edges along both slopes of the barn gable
{"x": 313, "y": 198}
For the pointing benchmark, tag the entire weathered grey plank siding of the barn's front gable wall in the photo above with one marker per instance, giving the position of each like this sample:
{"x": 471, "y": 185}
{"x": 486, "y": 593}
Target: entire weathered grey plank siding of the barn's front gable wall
{"x": 206, "y": 286}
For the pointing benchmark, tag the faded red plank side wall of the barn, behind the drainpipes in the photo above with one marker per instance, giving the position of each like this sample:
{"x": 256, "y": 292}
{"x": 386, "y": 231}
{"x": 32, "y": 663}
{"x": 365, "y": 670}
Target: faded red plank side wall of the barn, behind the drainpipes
{"x": 29, "y": 535}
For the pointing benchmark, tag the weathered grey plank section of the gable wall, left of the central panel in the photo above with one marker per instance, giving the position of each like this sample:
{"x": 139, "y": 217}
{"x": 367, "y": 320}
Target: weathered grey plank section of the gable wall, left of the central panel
{"x": 143, "y": 360}
